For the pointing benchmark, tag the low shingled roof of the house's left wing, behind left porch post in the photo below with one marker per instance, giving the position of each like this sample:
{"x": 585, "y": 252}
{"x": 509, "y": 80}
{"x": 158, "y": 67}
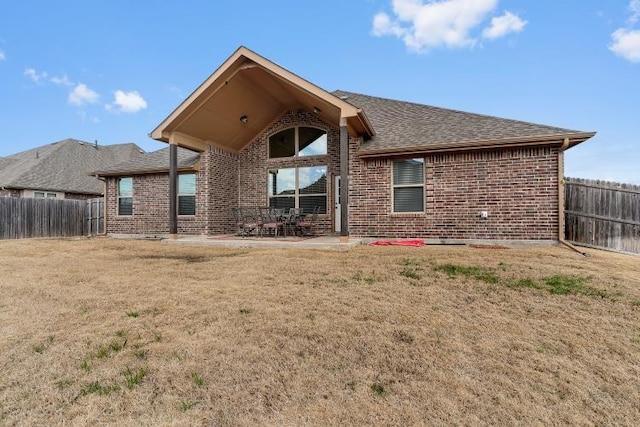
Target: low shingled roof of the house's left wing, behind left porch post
{"x": 154, "y": 162}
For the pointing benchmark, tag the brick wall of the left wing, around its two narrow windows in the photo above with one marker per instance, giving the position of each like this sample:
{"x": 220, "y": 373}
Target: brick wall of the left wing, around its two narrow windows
{"x": 151, "y": 207}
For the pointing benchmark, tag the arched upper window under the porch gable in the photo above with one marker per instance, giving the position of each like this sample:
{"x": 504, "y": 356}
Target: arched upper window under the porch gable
{"x": 298, "y": 142}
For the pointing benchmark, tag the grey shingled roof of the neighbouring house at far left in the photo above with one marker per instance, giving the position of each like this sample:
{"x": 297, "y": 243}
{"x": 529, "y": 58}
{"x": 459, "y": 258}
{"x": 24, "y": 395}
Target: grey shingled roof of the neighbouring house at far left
{"x": 63, "y": 166}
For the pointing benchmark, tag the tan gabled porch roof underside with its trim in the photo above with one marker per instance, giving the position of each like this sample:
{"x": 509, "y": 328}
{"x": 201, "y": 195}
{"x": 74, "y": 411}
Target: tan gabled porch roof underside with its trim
{"x": 249, "y": 85}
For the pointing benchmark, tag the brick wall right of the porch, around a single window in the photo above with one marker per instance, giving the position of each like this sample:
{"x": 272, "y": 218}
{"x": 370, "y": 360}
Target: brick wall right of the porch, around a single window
{"x": 517, "y": 187}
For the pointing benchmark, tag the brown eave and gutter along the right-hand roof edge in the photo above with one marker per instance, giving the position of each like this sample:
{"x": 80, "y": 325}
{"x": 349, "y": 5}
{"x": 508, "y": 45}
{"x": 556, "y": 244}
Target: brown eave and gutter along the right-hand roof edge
{"x": 555, "y": 139}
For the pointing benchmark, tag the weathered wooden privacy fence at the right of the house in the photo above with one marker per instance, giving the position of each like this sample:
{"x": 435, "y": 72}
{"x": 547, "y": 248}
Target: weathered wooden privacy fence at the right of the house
{"x": 603, "y": 214}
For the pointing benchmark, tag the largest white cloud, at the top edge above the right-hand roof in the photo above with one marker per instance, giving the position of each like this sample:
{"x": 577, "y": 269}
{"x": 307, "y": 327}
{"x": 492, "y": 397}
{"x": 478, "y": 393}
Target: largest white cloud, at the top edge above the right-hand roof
{"x": 442, "y": 23}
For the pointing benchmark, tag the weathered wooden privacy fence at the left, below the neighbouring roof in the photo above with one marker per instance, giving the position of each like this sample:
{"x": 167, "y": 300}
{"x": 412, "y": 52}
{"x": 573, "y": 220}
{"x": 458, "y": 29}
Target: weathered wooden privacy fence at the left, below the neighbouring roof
{"x": 25, "y": 217}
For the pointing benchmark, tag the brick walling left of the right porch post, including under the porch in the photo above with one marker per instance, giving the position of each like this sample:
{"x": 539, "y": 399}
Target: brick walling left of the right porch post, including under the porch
{"x": 225, "y": 180}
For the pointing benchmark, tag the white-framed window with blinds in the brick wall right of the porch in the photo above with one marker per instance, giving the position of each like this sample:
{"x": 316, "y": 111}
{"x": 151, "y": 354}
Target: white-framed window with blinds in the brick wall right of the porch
{"x": 408, "y": 185}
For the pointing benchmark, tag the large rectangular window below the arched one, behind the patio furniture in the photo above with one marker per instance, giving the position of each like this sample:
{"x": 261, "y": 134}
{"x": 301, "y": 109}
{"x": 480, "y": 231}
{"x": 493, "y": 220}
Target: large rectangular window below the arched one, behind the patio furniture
{"x": 299, "y": 188}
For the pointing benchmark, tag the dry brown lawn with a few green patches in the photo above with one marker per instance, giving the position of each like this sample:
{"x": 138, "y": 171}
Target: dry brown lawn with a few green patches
{"x": 142, "y": 333}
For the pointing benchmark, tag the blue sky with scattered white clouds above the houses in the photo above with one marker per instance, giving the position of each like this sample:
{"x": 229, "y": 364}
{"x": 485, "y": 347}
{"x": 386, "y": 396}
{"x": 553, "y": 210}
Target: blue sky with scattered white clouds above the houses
{"x": 112, "y": 70}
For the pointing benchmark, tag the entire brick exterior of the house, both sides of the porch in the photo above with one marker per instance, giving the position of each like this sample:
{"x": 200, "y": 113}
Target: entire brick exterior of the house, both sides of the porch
{"x": 517, "y": 187}
